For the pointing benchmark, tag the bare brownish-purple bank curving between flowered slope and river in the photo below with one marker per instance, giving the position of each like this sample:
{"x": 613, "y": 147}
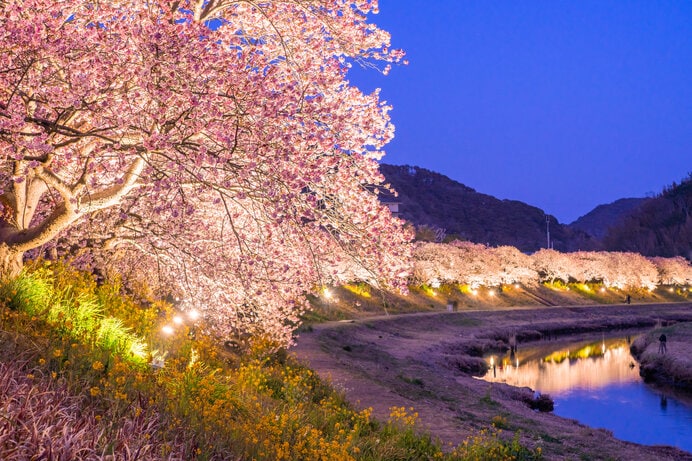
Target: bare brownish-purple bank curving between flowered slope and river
{"x": 416, "y": 360}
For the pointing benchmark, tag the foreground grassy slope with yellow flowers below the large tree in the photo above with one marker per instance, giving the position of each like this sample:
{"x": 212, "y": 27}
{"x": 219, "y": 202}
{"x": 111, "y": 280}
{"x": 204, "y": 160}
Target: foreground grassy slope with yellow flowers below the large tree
{"x": 87, "y": 373}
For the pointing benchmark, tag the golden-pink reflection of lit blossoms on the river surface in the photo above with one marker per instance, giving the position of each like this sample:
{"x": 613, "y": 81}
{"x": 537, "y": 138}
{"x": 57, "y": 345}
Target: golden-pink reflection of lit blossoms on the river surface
{"x": 586, "y": 367}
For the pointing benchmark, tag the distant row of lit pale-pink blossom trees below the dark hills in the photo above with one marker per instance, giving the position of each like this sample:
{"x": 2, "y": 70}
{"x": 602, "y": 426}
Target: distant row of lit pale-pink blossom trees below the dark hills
{"x": 476, "y": 264}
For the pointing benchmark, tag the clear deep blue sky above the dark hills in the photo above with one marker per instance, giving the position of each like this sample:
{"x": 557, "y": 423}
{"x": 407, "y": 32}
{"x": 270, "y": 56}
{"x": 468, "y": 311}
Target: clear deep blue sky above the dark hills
{"x": 564, "y": 105}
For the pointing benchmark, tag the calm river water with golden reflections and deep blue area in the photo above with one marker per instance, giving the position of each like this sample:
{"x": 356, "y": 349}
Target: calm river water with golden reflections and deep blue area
{"x": 597, "y": 382}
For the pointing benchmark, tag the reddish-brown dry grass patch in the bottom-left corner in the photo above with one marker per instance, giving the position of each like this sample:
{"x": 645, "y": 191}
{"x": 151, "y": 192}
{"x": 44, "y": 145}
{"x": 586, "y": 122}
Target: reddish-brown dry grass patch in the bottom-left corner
{"x": 41, "y": 419}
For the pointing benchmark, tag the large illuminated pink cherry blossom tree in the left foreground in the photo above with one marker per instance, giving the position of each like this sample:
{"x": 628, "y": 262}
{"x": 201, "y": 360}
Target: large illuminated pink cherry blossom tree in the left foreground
{"x": 215, "y": 145}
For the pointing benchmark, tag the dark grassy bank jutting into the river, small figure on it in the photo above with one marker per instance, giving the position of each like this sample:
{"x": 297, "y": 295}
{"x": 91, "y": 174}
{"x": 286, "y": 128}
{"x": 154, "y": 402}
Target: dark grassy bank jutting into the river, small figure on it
{"x": 672, "y": 368}
